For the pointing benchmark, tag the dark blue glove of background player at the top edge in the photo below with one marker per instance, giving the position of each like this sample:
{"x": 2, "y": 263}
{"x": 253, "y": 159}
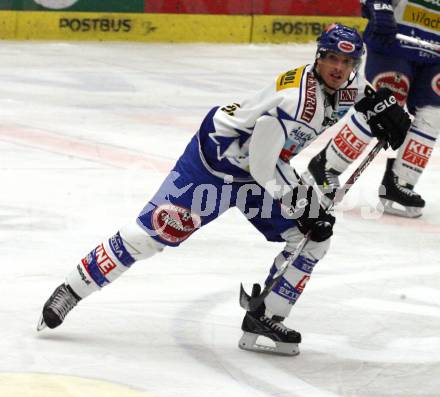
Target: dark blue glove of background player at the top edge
{"x": 382, "y": 25}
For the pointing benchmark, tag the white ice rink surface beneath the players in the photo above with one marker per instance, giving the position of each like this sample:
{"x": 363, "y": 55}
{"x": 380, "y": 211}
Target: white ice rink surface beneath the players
{"x": 87, "y": 133}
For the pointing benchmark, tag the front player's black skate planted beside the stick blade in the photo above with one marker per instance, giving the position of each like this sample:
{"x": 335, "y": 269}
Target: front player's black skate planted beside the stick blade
{"x": 256, "y": 324}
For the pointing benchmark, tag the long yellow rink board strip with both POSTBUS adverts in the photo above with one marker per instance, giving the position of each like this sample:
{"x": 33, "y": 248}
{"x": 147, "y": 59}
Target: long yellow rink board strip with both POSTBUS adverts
{"x": 171, "y": 28}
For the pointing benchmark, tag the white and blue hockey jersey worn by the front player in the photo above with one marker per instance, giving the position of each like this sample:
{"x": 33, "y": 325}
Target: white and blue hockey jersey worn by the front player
{"x": 254, "y": 140}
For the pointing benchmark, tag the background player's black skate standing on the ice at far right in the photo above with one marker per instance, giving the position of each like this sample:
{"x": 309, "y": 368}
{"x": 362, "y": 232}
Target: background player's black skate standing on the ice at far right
{"x": 398, "y": 199}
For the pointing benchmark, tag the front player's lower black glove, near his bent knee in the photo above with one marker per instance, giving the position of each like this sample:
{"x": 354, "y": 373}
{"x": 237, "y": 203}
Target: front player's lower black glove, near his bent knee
{"x": 308, "y": 213}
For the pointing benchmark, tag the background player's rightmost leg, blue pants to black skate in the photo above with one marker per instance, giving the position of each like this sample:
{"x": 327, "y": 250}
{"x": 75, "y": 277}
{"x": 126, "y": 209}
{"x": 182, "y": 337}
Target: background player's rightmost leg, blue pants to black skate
{"x": 402, "y": 173}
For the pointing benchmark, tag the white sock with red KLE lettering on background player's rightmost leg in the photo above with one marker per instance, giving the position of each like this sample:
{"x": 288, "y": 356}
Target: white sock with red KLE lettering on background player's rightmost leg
{"x": 416, "y": 150}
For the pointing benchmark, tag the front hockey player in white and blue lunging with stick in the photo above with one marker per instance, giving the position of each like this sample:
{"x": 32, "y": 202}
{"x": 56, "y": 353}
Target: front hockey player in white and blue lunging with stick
{"x": 240, "y": 157}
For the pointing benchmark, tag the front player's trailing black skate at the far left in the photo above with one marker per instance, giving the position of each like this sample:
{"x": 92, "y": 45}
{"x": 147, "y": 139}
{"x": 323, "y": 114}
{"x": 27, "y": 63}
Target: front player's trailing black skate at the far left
{"x": 61, "y": 302}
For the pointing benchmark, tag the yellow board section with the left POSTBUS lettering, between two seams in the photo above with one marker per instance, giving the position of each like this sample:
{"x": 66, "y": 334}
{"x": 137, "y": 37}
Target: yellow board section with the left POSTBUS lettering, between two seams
{"x": 133, "y": 27}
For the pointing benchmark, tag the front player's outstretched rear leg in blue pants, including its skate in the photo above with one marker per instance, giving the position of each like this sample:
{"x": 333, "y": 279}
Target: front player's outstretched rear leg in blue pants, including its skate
{"x": 178, "y": 209}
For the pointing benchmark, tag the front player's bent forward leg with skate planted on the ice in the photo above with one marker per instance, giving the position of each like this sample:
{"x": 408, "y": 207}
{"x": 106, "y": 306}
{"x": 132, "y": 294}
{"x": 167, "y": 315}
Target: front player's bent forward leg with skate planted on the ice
{"x": 267, "y": 320}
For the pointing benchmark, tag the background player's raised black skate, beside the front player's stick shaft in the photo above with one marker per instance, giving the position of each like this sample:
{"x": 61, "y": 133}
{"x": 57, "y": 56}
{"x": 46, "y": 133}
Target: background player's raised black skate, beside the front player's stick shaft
{"x": 326, "y": 178}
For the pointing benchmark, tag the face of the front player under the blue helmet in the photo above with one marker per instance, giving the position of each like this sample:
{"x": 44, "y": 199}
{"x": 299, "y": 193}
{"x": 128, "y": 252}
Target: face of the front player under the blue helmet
{"x": 335, "y": 68}
